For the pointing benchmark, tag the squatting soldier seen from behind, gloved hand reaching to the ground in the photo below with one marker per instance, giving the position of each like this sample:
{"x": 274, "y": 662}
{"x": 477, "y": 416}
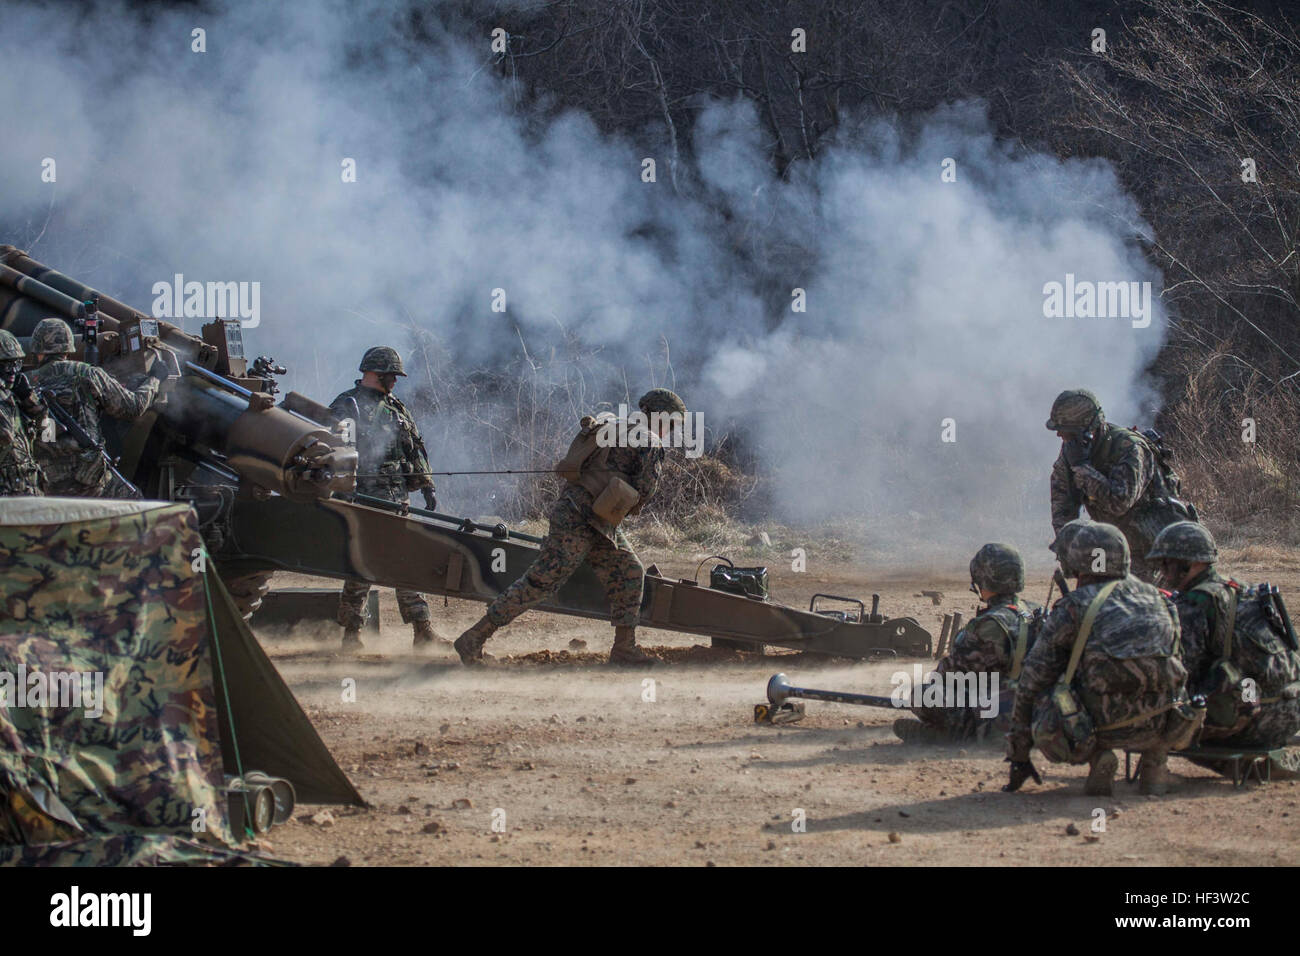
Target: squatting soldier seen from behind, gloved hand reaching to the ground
{"x": 1129, "y": 677}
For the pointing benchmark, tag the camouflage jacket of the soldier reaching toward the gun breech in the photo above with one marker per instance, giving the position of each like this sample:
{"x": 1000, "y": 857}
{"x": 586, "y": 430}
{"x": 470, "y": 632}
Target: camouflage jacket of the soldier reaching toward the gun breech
{"x": 88, "y": 393}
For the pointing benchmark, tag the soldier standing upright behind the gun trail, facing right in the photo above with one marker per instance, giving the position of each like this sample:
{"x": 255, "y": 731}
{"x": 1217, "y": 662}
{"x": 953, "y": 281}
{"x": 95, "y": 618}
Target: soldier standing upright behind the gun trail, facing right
{"x": 392, "y": 464}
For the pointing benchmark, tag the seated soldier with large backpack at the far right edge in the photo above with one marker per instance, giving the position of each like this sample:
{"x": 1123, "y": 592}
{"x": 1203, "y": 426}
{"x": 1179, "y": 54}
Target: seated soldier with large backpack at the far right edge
{"x": 1237, "y": 652}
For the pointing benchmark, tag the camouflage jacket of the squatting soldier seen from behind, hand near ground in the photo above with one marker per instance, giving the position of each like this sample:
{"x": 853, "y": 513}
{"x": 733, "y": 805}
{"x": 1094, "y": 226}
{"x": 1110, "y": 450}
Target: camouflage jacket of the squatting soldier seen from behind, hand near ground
{"x": 1130, "y": 665}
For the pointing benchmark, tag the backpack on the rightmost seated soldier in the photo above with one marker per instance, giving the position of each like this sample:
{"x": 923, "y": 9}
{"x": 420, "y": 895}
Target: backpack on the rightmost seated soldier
{"x": 1256, "y": 643}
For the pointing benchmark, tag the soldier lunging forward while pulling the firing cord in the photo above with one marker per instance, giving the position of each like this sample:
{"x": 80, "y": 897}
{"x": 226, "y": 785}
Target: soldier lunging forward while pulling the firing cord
{"x": 604, "y": 487}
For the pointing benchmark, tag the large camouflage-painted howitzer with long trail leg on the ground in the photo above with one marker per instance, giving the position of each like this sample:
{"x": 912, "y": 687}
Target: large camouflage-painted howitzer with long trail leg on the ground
{"x": 274, "y": 485}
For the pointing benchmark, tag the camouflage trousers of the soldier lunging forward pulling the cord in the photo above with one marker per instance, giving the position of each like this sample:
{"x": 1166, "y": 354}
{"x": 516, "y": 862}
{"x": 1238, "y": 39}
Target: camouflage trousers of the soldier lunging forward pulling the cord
{"x": 571, "y": 540}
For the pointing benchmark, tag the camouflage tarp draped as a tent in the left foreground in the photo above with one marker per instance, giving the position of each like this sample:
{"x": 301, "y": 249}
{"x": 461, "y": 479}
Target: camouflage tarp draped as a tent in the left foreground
{"x": 114, "y": 713}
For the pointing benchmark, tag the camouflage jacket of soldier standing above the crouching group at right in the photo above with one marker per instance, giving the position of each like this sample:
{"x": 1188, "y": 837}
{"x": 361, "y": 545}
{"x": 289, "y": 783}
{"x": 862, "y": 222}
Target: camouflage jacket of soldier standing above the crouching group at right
{"x": 1121, "y": 473}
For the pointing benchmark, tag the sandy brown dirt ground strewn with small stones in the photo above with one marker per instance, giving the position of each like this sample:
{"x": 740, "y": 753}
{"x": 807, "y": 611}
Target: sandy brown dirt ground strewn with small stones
{"x": 567, "y": 762}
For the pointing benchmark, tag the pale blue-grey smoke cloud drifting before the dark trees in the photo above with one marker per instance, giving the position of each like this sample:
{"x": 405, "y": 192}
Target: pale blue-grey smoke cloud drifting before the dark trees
{"x": 925, "y": 299}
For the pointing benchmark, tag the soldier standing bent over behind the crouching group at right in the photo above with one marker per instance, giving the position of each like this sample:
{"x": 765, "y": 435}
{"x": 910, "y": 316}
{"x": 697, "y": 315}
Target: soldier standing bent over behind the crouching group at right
{"x": 1112, "y": 471}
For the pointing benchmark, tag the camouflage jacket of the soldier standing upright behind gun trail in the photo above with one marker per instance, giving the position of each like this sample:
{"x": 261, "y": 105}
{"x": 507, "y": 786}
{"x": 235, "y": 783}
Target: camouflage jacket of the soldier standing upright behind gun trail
{"x": 392, "y": 460}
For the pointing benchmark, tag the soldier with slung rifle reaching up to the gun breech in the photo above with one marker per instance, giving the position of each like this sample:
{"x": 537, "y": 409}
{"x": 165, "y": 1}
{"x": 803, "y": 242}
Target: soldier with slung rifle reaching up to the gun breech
{"x": 88, "y": 393}
